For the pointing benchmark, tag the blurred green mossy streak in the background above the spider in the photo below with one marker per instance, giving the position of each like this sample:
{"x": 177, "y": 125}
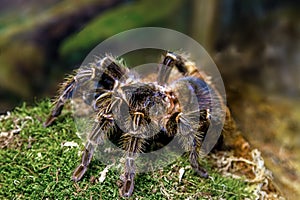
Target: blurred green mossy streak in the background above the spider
{"x": 116, "y": 20}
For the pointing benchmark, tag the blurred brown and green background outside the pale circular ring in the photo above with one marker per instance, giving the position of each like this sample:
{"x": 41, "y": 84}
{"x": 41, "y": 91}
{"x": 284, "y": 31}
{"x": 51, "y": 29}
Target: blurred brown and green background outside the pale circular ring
{"x": 255, "y": 44}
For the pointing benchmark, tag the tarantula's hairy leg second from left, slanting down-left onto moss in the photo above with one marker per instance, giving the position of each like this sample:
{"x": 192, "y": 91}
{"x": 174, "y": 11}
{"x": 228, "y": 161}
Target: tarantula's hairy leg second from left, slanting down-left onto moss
{"x": 95, "y": 138}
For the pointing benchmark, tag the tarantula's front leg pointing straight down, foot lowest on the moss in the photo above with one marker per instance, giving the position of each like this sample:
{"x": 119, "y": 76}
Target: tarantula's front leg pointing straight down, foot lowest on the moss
{"x": 132, "y": 145}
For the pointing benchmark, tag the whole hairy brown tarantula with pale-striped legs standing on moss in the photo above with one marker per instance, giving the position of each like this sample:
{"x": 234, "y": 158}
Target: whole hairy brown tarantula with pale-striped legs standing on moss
{"x": 150, "y": 107}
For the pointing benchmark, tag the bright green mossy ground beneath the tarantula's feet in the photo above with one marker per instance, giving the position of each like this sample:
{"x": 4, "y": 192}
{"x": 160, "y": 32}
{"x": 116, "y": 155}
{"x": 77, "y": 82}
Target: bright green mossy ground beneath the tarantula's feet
{"x": 34, "y": 164}
